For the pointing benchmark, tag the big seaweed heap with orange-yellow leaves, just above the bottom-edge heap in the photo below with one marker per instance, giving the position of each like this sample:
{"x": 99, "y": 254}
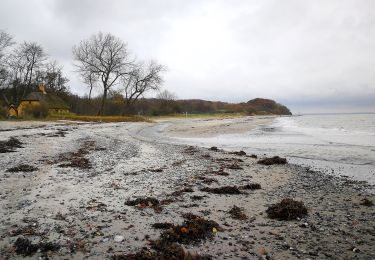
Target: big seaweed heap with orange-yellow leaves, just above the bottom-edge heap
{"x": 193, "y": 229}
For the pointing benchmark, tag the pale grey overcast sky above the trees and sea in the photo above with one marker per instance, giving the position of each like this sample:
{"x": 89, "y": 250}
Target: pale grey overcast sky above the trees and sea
{"x": 313, "y": 56}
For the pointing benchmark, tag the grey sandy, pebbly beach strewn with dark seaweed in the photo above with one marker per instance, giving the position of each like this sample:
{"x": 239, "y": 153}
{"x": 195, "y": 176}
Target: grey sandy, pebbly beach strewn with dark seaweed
{"x": 77, "y": 198}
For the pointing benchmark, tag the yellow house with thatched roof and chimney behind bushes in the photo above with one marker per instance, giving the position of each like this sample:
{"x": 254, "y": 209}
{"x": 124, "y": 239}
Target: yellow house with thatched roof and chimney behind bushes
{"x": 41, "y": 99}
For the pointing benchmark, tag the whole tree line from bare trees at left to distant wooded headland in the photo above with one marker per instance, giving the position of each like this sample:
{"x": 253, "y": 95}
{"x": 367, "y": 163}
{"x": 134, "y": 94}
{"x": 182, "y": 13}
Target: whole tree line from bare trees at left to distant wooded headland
{"x": 104, "y": 63}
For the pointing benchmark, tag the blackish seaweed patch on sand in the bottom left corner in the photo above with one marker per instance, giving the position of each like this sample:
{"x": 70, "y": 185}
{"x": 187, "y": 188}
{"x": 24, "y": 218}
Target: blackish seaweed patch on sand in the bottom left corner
{"x": 24, "y": 247}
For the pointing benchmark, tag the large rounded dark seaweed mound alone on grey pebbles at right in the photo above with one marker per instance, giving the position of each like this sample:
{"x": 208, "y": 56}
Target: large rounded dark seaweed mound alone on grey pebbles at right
{"x": 287, "y": 209}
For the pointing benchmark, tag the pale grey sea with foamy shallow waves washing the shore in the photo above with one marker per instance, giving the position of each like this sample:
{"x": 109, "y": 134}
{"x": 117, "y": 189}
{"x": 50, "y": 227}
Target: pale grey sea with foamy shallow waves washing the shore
{"x": 339, "y": 144}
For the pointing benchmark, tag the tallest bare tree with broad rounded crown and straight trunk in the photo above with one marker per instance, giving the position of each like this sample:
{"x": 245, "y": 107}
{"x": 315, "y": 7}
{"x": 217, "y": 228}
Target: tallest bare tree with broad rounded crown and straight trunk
{"x": 105, "y": 57}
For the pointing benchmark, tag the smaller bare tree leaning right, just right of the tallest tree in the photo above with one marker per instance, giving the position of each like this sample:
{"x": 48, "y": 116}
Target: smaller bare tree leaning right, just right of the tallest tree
{"x": 143, "y": 78}
